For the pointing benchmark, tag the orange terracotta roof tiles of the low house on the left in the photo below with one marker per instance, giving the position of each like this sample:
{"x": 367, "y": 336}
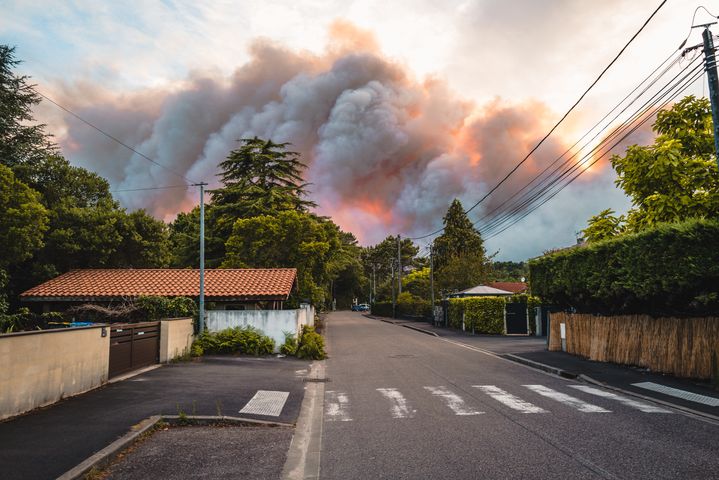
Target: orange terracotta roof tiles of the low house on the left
{"x": 247, "y": 283}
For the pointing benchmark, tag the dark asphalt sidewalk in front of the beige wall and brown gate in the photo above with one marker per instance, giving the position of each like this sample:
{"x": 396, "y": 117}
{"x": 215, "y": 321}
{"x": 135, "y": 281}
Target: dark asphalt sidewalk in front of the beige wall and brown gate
{"x": 47, "y": 442}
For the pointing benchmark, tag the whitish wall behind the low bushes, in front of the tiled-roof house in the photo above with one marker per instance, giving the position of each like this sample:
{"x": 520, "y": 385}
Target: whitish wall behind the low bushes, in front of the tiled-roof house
{"x": 272, "y": 323}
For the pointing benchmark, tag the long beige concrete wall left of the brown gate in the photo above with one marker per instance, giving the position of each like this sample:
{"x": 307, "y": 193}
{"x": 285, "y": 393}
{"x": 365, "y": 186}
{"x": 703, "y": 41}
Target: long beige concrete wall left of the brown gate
{"x": 42, "y": 367}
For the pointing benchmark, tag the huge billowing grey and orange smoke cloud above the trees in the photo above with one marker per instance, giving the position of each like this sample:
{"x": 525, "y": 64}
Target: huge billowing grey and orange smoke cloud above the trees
{"x": 385, "y": 152}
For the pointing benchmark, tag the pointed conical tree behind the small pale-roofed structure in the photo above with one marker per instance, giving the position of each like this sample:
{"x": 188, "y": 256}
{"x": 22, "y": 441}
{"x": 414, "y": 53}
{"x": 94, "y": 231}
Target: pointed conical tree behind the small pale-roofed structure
{"x": 460, "y": 257}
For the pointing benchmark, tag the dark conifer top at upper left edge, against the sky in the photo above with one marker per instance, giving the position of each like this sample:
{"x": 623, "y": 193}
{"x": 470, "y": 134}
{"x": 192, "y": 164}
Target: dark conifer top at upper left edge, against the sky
{"x": 19, "y": 140}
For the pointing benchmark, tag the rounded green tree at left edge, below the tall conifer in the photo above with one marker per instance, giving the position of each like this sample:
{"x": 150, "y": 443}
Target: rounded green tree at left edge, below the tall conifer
{"x": 23, "y": 219}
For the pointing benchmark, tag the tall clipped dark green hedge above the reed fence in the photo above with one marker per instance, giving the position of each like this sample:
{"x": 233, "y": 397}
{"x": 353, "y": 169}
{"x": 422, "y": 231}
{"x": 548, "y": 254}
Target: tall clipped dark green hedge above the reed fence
{"x": 669, "y": 270}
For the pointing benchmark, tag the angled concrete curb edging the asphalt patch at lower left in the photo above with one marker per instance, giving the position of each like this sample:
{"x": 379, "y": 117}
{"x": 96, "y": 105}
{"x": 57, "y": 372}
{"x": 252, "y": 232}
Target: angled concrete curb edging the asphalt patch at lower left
{"x": 105, "y": 456}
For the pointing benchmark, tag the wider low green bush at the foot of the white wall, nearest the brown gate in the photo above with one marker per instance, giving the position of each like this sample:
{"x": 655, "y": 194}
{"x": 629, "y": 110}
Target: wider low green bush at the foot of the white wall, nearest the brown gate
{"x": 239, "y": 340}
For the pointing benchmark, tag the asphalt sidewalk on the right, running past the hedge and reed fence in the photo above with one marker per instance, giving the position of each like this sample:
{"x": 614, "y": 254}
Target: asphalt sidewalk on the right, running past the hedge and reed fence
{"x": 532, "y": 351}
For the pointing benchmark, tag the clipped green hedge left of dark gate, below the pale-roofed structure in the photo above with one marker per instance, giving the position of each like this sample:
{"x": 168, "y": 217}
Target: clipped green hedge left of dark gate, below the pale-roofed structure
{"x": 481, "y": 314}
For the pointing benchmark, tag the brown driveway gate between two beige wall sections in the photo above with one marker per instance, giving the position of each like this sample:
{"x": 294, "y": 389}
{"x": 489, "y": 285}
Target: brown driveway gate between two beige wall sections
{"x": 133, "y": 346}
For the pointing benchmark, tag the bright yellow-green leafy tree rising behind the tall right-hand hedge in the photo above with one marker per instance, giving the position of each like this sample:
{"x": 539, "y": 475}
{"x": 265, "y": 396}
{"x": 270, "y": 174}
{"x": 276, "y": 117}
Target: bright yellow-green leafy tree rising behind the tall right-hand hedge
{"x": 672, "y": 180}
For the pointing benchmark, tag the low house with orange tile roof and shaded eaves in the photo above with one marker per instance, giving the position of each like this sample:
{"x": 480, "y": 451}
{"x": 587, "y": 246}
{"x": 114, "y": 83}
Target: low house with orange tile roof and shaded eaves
{"x": 227, "y": 289}
